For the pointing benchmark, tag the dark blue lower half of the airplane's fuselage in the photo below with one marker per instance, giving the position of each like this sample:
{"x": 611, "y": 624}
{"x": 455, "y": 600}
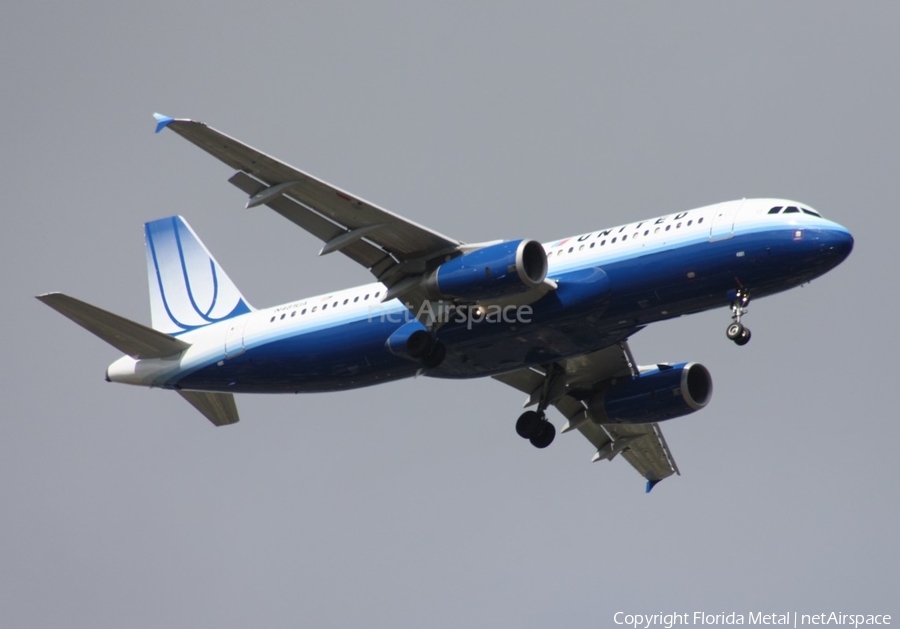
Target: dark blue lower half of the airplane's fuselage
{"x": 590, "y": 309}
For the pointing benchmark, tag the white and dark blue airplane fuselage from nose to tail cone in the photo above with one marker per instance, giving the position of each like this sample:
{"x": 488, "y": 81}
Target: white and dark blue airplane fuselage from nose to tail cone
{"x": 609, "y": 284}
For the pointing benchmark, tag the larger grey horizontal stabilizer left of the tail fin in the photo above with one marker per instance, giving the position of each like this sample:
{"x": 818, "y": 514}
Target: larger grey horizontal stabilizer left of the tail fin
{"x": 134, "y": 339}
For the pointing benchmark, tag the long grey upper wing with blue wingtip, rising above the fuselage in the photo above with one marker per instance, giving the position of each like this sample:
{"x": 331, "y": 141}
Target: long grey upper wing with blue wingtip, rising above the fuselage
{"x": 392, "y": 248}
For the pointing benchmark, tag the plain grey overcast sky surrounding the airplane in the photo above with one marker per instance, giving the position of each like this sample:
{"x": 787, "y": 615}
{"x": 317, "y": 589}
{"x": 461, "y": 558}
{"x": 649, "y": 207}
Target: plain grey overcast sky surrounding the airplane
{"x": 415, "y": 504}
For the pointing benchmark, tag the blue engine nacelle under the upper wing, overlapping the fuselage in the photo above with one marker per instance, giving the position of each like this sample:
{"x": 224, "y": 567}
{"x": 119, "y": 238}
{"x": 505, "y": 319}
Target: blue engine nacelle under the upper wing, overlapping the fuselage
{"x": 493, "y": 271}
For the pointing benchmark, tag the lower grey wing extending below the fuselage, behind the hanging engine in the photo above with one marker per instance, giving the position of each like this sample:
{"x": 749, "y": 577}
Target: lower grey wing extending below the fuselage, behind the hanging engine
{"x": 566, "y": 384}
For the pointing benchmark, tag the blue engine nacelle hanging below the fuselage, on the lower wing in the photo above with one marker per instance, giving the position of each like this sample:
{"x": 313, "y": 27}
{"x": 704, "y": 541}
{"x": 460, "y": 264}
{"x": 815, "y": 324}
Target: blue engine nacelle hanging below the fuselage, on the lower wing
{"x": 655, "y": 395}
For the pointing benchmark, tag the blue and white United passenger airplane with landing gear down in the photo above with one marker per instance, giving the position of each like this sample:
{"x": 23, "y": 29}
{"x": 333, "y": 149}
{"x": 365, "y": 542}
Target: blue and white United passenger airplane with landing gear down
{"x": 551, "y": 319}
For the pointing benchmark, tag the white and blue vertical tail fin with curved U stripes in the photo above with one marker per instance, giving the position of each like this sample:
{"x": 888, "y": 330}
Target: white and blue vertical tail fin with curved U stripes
{"x": 188, "y": 288}
